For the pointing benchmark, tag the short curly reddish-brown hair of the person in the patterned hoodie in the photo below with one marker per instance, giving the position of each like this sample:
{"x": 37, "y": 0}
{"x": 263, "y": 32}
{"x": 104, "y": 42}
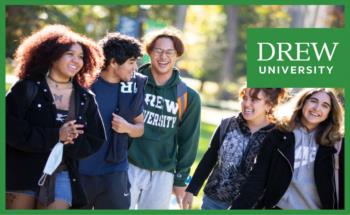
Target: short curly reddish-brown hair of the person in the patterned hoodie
{"x": 273, "y": 97}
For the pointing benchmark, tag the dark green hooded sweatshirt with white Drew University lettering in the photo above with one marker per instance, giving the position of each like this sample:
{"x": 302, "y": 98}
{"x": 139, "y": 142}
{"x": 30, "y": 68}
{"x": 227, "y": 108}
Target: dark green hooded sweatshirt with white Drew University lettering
{"x": 167, "y": 144}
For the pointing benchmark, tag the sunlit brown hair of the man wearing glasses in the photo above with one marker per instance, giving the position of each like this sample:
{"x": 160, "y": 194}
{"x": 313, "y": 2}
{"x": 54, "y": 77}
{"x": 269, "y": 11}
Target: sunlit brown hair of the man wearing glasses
{"x": 172, "y": 33}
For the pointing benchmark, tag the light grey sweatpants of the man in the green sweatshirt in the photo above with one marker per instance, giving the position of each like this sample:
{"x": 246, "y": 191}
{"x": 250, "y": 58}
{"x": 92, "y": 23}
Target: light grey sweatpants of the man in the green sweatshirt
{"x": 150, "y": 189}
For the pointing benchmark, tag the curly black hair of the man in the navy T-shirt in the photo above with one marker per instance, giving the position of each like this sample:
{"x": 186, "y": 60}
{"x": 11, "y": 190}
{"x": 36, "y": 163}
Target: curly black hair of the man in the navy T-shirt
{"x": 119, "y": 47}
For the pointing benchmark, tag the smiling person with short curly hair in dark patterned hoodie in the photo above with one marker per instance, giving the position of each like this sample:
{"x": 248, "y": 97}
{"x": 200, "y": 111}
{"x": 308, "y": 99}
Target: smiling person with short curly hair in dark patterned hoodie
{"x": 233, "y": 148}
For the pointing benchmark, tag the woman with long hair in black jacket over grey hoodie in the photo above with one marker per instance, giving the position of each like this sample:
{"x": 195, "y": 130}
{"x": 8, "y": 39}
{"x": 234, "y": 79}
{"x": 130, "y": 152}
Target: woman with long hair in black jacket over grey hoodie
{"x": 298, "y": 164}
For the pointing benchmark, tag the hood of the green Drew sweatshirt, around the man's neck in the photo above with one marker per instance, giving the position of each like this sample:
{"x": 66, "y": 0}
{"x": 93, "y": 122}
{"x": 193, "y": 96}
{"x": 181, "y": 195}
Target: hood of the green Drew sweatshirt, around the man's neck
{"x": 173, "y": 81}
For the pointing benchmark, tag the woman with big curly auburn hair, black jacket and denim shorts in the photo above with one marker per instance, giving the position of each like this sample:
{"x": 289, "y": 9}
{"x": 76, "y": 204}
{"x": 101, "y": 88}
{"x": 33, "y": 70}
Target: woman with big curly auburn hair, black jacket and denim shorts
{"x": 50, "y": 104}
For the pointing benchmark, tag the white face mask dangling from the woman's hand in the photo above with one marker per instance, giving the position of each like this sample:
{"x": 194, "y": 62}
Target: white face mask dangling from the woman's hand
{"x": 53, "y": 161}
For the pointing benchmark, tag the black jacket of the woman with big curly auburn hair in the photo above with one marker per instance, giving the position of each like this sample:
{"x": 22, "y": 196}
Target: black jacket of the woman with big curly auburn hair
{"x": 32, "y": 131}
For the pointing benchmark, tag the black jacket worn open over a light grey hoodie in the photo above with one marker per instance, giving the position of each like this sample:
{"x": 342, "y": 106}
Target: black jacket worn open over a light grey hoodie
{"x": 273, "y": 171}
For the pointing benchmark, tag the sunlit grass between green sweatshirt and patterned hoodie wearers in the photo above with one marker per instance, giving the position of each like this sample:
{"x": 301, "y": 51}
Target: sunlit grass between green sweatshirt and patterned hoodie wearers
{"x": 207, "y": 130}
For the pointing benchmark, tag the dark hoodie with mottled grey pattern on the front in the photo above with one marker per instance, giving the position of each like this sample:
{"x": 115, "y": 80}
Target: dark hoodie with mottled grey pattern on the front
{"x": 224, "y": 184}
